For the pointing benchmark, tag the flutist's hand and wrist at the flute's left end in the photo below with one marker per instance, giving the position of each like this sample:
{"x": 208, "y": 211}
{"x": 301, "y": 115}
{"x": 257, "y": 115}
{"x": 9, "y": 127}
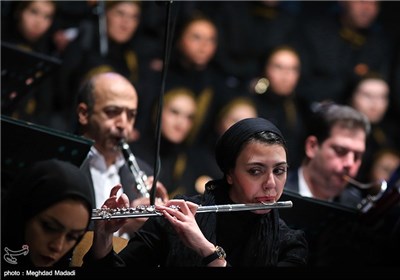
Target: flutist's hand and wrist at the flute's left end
{"x": 104, "y": 229}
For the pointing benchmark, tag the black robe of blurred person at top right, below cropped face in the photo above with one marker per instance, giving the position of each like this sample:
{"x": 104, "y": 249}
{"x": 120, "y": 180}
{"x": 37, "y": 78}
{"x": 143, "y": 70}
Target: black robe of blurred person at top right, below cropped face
{"x": 333, "y": 57}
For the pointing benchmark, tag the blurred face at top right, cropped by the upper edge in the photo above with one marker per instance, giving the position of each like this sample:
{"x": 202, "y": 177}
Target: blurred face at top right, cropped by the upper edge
{"x": 361, "y": 14}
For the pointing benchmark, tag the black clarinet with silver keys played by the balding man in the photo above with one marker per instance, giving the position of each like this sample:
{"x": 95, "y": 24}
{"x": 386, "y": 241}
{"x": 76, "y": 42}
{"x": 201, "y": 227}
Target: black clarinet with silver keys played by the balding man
{"x": 140, "y": 176}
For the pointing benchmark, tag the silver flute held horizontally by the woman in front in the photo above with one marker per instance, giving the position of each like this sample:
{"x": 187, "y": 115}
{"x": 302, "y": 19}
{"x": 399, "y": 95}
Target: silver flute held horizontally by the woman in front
{"x": 144, "y": 211}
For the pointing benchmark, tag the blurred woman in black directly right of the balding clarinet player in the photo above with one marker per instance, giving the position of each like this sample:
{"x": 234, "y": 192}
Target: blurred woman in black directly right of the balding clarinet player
{"x": 177, "y": 119}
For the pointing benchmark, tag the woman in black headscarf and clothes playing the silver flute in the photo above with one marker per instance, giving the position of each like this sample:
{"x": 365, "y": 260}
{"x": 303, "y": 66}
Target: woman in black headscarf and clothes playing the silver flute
{"x": 252, "y": 156}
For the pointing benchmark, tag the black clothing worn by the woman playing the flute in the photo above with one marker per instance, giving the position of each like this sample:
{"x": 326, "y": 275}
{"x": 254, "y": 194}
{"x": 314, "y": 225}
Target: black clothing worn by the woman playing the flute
{"x": 249, "y": 239}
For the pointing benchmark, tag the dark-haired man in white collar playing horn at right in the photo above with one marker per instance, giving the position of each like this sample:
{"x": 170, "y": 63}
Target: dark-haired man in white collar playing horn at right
{"x": 334, "y": 147}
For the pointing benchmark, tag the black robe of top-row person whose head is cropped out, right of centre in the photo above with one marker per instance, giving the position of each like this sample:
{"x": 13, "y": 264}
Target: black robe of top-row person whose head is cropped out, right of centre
{"x": 247, "y": 32}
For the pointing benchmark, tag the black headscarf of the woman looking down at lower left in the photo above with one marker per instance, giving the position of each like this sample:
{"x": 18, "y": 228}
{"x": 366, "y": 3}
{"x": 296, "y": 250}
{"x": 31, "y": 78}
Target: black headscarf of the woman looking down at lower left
{"x": 40, "y": 186}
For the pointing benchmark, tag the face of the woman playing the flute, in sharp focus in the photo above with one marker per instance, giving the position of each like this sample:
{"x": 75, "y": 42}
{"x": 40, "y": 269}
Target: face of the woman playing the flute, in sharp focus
{"x": 259, "y": 175}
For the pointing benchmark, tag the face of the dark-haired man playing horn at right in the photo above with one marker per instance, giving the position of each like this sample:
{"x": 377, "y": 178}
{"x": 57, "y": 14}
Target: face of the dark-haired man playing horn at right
{"x": 339, "y": 154}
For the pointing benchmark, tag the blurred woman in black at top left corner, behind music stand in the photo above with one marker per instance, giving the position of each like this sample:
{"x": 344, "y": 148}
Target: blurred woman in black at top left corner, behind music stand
{"x": 30, "y": 29}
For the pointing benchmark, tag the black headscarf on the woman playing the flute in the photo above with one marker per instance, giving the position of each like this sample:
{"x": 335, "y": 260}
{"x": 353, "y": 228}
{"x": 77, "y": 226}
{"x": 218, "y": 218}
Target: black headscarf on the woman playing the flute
{"x": 230, "y": 143}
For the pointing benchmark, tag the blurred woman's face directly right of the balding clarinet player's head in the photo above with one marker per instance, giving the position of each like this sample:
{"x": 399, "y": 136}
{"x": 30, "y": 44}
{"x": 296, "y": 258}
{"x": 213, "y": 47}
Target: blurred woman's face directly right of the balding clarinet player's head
{"x": 177, "y": 118}
